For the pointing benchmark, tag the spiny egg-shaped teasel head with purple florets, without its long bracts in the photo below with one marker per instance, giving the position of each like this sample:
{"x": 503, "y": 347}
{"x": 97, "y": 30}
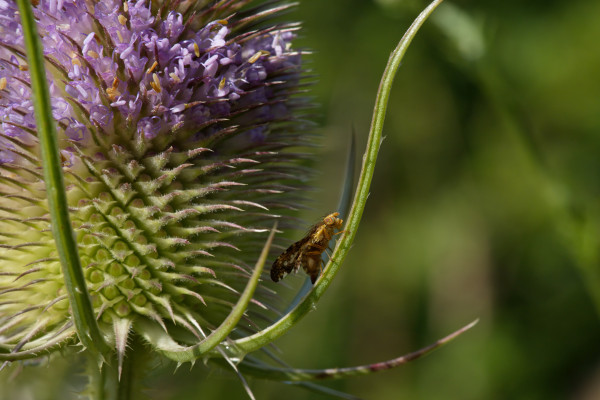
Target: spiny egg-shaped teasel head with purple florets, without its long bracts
{"x": 178, "y": 127}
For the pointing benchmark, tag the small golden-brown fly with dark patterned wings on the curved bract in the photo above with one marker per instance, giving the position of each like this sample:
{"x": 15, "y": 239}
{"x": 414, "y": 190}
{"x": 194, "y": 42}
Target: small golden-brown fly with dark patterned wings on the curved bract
{"x": 306, "y": 252}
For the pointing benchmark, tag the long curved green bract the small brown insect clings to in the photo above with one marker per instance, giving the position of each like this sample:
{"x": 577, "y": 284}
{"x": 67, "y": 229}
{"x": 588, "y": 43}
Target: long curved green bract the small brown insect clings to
{"x": 274, "y": 331}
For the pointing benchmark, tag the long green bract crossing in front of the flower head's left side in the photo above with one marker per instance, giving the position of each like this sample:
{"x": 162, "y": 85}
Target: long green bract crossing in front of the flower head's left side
{"x": 85, "y": 321}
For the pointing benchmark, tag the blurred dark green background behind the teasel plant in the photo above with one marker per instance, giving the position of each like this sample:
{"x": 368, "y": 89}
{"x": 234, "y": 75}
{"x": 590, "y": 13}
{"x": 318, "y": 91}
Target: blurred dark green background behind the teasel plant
{"x": 484, "y": 202}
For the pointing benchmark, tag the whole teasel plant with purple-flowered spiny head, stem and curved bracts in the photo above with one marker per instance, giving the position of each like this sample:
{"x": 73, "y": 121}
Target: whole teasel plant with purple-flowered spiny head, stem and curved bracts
{"x": 150, "y": 154}
